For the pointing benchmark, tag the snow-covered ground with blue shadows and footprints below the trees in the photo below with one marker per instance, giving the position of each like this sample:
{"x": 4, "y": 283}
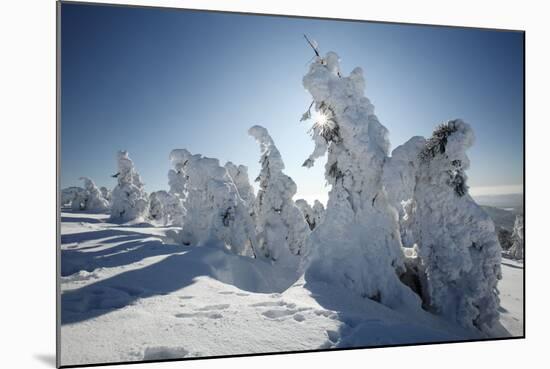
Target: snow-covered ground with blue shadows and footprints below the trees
{"x": 130, "y": 294}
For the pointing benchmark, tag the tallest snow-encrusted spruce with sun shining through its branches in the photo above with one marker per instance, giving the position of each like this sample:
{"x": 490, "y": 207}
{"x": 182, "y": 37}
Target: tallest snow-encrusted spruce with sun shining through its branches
{"x": 357, "y": 245}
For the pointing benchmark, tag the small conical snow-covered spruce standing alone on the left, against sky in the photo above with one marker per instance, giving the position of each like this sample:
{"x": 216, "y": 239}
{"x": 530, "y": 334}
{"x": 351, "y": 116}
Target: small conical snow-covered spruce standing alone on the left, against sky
{"x": 128, "y": 199}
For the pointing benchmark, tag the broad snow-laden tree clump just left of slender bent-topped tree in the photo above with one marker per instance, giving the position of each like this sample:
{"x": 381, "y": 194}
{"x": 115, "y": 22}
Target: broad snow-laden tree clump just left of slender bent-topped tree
{"x": 214, "y": 209}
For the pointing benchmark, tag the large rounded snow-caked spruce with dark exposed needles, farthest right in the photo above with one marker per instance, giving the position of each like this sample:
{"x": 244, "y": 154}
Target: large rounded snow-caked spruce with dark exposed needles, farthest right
{"x": 456, "y": 239}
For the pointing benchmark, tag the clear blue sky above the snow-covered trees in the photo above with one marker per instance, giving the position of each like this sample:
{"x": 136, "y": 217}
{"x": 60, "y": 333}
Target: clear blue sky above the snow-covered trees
{"x": 151, "y": 80}
